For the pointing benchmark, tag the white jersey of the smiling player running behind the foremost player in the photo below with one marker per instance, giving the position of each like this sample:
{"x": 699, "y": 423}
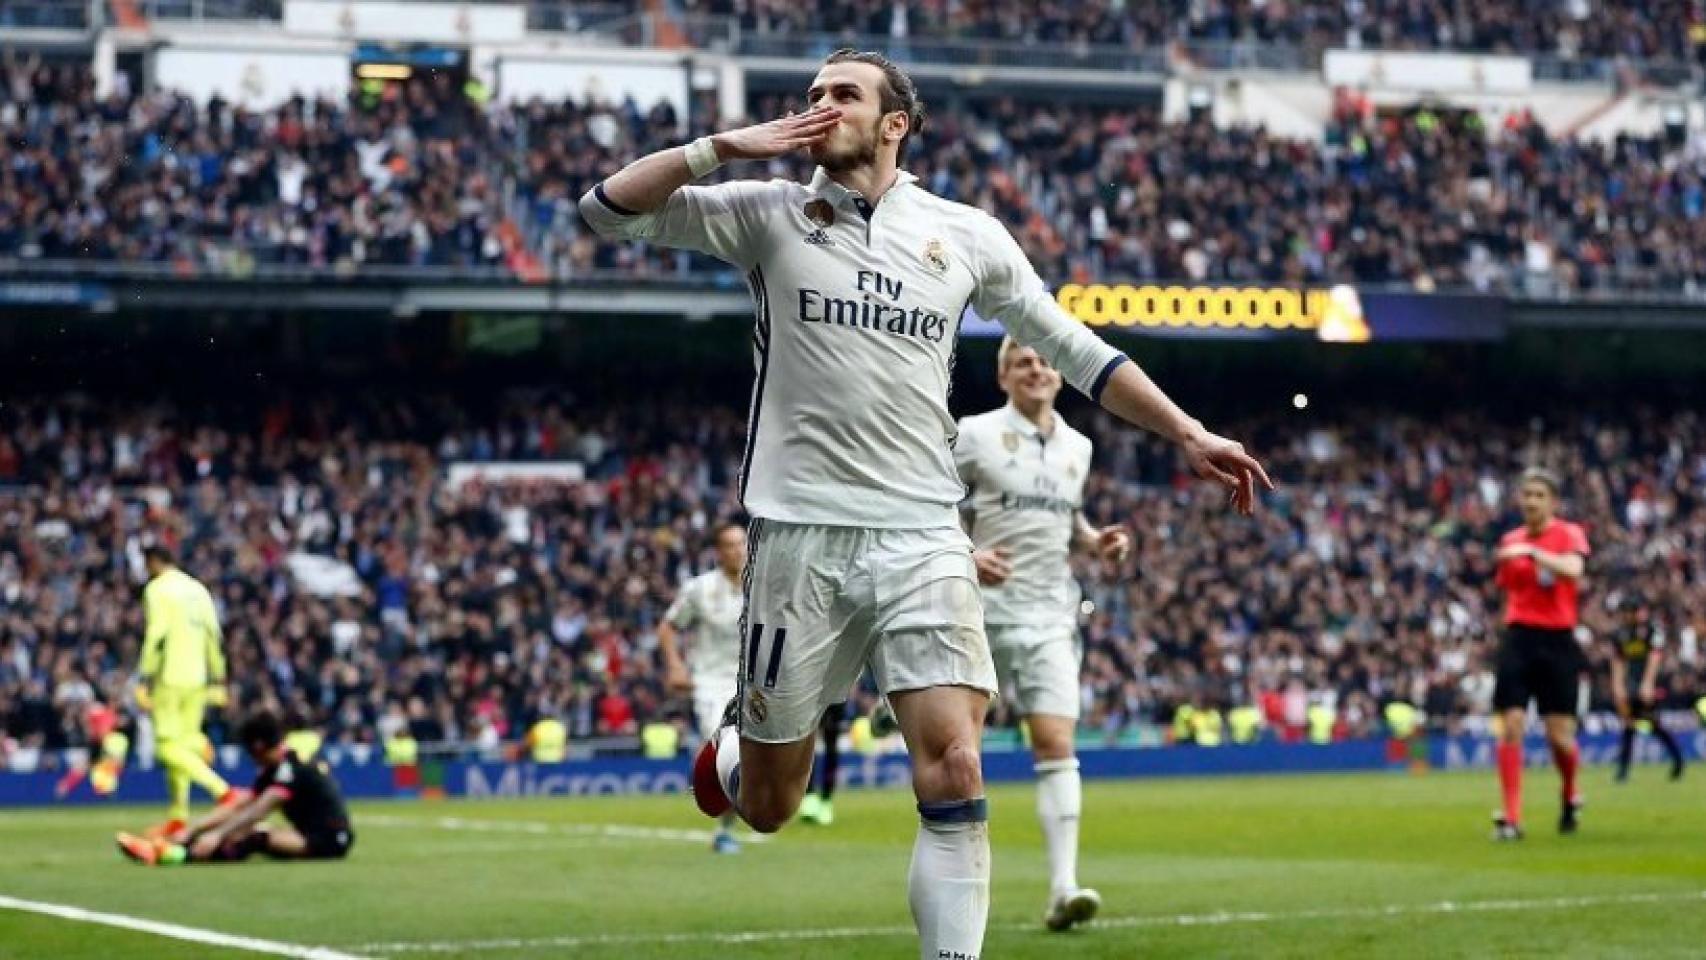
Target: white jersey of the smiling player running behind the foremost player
{"x": 1026, "y": 492}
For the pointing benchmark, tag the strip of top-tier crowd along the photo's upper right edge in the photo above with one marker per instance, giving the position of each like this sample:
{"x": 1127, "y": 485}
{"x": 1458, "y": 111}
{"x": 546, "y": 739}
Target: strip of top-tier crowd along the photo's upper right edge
{"x": 1664, "y": 30}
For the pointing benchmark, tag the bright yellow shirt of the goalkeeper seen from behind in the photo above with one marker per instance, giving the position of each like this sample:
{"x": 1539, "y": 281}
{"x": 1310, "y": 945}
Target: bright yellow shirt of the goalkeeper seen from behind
{"x": 182, "y": 647}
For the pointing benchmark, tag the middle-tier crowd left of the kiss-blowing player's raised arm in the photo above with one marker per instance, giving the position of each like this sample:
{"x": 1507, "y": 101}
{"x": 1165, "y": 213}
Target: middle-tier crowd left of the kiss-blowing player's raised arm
{"x": 398, "y": 176}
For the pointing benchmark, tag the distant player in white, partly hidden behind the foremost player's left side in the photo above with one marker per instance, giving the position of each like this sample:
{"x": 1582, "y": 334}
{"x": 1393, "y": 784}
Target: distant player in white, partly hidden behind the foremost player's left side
{"x": 709, "y": 608}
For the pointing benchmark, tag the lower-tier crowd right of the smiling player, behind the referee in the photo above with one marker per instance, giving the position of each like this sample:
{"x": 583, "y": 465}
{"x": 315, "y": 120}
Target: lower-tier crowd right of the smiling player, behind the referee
{"x": 1369, "y": 577}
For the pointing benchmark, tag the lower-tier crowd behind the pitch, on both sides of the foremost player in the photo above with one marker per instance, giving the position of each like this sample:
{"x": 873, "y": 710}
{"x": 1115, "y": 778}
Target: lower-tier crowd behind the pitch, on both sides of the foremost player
{"x": 368, "y": 594}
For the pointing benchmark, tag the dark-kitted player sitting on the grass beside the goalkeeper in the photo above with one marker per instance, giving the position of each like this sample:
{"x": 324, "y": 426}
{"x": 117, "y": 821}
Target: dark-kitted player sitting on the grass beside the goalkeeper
{"x": 303, "y": 792}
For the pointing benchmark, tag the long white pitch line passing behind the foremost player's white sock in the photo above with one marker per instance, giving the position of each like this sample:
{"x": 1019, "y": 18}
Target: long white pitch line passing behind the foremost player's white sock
{"x": 1224, "y": 918}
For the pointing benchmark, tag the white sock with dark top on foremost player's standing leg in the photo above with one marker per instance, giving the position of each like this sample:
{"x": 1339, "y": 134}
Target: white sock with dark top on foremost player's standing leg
{"x": 949, "y": 886}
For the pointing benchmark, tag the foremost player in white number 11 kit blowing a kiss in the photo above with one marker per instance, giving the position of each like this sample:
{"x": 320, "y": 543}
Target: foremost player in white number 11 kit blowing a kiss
{"x": 857, "y": 557}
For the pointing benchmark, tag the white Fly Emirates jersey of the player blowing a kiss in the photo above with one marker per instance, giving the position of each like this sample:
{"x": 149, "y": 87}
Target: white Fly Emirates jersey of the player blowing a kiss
{"x": 857, "y": 321}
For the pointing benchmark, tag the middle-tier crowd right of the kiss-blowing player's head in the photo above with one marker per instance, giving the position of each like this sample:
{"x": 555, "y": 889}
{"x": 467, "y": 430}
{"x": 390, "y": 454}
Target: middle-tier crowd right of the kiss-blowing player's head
{"x": 1422, "y": 200}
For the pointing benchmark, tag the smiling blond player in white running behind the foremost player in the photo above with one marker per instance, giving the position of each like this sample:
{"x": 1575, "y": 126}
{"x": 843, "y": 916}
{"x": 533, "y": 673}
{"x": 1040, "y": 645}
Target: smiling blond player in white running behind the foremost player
{"x": 1026, "y": 471}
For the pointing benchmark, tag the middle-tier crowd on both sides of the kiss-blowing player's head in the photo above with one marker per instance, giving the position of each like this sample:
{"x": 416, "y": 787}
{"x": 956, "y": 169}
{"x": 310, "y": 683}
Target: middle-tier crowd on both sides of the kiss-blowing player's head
{"x": 422, "y": 176}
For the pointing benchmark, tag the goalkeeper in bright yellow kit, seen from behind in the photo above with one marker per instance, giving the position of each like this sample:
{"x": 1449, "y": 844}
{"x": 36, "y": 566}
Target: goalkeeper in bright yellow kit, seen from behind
{"x": 182, "y": 673}
